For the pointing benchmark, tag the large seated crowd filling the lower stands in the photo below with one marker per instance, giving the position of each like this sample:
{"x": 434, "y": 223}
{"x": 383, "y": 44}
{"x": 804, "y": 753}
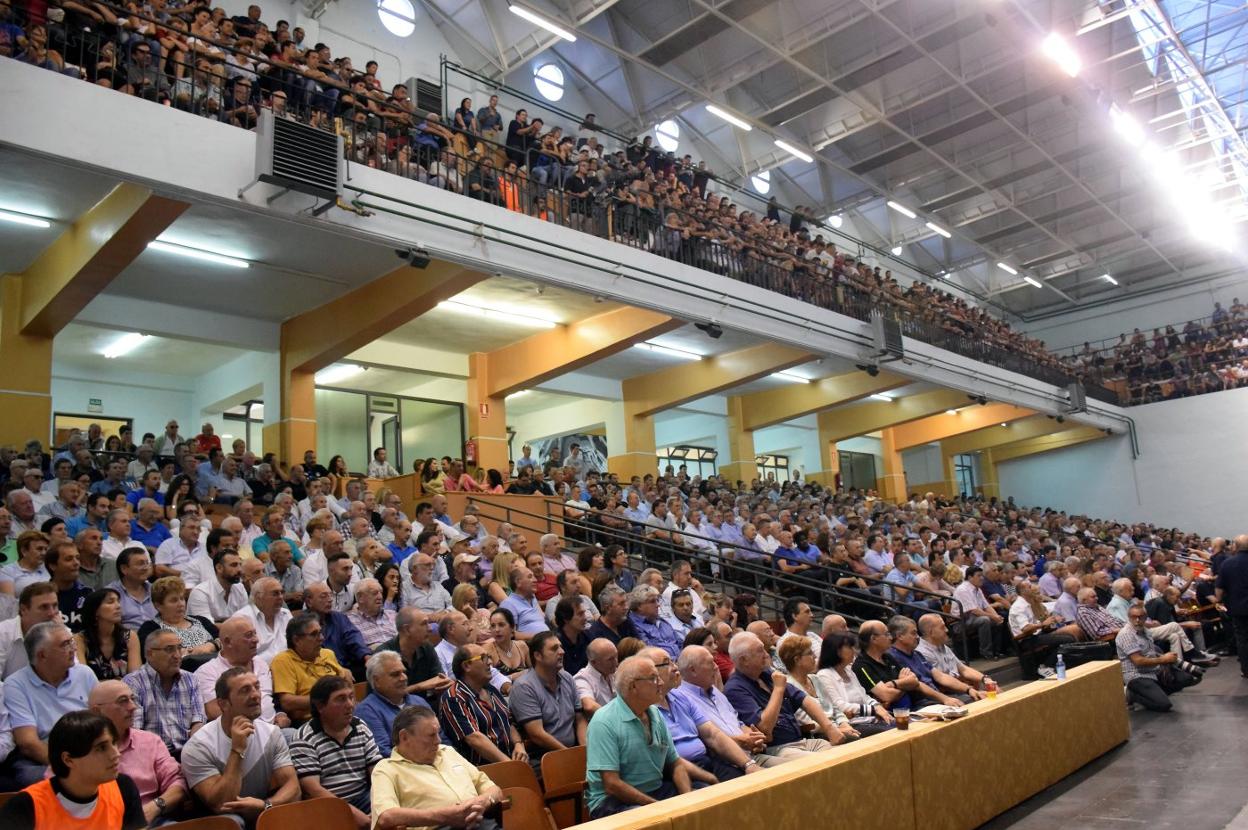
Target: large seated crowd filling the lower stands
{"x": 174, "y": 647}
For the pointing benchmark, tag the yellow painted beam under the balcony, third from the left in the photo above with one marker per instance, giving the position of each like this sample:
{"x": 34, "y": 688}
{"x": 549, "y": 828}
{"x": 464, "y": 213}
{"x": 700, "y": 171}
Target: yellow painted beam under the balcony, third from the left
{"x": 571, "y": 348}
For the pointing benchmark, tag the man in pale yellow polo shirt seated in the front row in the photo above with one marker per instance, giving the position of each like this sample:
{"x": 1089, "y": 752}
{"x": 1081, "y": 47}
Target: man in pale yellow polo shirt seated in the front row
{"x": 425, "y": 784}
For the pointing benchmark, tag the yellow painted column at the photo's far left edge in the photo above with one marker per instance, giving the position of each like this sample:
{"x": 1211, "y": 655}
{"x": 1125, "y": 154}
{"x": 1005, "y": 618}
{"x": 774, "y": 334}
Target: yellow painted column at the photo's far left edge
{"x": 26, "y": 374}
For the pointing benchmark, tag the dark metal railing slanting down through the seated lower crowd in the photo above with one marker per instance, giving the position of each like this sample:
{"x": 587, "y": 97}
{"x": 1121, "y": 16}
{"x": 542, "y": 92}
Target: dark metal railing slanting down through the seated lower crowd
{"x": 772, "y": 586}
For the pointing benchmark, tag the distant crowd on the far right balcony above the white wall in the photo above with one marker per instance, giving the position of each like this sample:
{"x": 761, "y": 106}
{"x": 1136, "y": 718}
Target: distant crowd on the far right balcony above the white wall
{"x": 1201, "y": 356}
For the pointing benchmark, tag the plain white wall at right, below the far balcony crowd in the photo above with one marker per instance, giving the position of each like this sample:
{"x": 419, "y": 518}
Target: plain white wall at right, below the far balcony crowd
{"x": 1192, "y": 471}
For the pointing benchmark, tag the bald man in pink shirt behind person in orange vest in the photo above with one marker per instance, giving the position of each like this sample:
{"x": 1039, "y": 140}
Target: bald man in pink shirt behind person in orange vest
{"x": 144, "y": 756}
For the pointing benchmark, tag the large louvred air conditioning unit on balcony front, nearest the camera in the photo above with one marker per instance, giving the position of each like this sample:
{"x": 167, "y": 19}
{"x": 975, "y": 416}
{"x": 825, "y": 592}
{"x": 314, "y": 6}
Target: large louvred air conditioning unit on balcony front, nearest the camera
{"x": 300, "y": 158}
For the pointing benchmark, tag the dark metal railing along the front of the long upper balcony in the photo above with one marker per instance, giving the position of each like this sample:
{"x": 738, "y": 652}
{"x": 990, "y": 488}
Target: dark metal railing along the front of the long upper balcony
{"x": 197, "y": 78}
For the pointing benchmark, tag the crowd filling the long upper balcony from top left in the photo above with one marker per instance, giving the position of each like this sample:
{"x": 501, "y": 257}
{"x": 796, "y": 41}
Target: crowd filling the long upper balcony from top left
{"x": 198, "y": 59}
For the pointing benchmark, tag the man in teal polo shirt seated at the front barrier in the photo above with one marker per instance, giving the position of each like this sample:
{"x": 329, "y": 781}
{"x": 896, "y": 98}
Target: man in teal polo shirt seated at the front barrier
{"x": 631, "y": 758}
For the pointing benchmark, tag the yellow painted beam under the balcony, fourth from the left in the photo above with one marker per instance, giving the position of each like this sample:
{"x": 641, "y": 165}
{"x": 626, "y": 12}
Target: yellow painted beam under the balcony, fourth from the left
{"x": 671, "y": 388}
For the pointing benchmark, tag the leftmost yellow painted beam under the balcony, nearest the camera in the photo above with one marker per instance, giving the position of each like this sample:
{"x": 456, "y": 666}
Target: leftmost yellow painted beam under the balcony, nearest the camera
{"x": 90, "y": 254}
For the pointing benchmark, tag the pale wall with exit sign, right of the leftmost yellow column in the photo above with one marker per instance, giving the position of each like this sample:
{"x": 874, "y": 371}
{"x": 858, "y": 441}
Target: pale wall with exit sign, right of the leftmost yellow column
{"x": 150, "y": 399}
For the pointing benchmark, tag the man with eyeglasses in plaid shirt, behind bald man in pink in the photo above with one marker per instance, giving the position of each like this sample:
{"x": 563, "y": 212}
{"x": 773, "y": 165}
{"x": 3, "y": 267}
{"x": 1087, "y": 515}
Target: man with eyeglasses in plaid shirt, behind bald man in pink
{"x": 169, "y": 700}
